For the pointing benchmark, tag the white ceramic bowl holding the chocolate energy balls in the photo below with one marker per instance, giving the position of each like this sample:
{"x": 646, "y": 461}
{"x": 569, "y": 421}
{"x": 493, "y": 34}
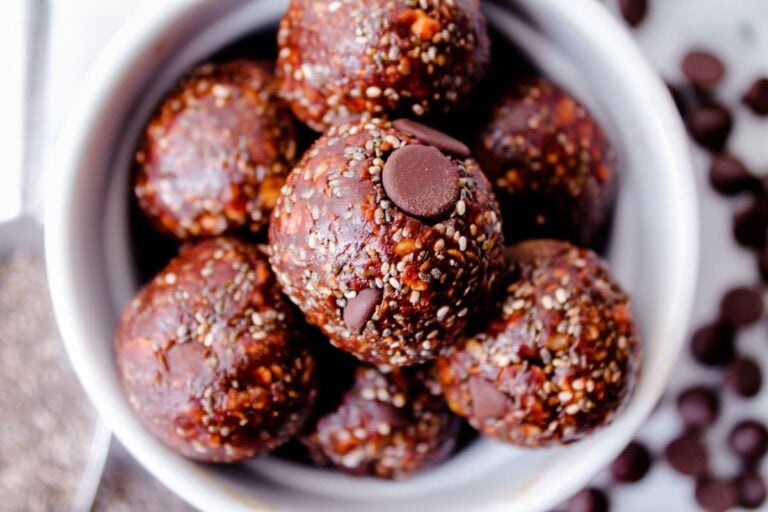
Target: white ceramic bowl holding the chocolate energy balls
{"x": 92, "y": 275}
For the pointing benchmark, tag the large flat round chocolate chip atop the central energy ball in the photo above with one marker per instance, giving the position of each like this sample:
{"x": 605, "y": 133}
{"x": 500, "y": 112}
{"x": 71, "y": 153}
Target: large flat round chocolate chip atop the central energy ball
{"x": 421, "y": 181}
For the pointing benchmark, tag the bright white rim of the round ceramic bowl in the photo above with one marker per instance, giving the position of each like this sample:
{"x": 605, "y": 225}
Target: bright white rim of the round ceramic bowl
{"x": 152, "y": 19}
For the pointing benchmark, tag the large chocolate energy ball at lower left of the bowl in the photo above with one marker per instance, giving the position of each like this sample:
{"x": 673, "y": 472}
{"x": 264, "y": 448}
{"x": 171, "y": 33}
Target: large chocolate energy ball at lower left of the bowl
{"x": 210, "y": 356}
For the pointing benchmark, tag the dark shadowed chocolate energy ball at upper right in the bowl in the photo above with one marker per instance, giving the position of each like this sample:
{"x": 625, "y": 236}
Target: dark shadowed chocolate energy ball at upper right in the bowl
{"x": 552, "y": 167}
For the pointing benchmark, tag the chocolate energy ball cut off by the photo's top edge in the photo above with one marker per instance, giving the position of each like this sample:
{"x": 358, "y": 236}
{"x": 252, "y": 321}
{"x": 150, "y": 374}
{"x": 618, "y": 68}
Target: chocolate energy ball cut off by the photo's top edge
{"x": 343, "y": 57}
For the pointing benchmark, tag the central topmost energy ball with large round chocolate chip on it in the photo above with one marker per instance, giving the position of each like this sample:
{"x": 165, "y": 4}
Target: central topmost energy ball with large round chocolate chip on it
{"x": 385, "y": 241}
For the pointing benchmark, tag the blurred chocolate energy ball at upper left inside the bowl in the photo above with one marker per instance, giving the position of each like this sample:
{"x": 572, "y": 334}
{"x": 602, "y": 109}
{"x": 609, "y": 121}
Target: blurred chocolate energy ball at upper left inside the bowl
{"x": 216, "y": 152}
